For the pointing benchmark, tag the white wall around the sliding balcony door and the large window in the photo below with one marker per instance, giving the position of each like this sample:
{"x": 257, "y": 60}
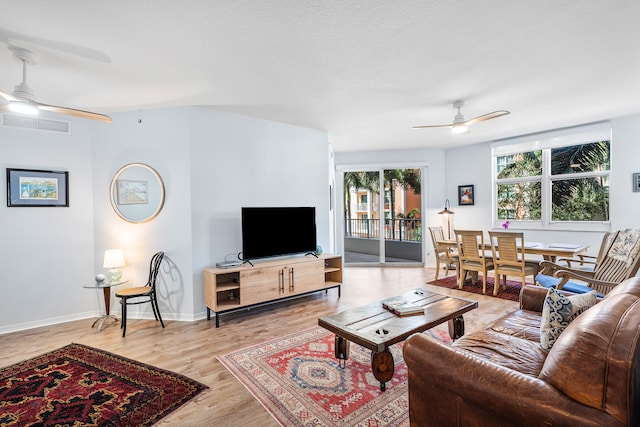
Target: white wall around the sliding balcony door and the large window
{"x": 471, "y": 165}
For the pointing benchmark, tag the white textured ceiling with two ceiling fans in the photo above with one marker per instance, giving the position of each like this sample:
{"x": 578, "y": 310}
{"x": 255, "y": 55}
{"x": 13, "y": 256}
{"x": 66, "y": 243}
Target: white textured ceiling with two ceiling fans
{"x": 365, "y": 71}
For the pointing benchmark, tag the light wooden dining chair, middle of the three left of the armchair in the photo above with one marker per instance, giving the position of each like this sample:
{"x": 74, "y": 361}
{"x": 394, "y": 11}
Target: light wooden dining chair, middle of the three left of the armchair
{"x": 473, "y": 257}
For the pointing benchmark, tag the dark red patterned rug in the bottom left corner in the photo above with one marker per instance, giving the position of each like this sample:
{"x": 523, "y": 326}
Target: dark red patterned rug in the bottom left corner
{"x": 77, "y": 385}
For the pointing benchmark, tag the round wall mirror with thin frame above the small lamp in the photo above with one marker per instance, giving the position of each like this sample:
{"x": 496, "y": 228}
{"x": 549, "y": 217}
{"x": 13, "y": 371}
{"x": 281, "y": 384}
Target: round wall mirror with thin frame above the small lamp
{"x": 137, "y": 193}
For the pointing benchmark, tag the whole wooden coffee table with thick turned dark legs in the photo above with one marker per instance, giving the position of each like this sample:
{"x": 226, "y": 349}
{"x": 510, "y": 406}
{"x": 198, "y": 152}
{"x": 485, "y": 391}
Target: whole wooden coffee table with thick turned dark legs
{"x": 377, "y": 328}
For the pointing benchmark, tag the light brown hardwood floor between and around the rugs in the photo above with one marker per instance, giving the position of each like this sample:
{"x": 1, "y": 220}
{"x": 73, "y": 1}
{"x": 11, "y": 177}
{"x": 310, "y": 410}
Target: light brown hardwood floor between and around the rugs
{"x": 190, "y": 348}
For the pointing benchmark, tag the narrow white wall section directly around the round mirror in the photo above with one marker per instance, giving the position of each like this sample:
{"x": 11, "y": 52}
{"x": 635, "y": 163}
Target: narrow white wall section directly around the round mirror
{"x": 162, "y": 140}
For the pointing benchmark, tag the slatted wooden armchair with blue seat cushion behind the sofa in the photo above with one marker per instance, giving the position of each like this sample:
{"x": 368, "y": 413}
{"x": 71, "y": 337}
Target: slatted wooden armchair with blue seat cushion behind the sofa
{"x": 620, "y": 261}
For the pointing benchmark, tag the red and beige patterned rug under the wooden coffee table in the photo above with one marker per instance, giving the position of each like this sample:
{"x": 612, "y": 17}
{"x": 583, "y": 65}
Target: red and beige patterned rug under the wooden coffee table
{"x": 299, "y": 381}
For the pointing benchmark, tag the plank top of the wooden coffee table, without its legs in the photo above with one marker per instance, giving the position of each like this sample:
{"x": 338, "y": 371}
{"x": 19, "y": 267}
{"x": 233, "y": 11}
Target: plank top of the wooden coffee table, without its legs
{"x": 376, "y": 328}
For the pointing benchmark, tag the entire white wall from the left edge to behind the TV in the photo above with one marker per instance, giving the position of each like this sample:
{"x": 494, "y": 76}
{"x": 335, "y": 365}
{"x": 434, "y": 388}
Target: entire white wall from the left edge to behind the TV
{"x": 211, "y": 163}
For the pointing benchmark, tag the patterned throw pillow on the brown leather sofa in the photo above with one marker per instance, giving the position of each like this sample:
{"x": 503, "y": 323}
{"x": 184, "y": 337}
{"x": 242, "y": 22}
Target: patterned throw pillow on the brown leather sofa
{"x": 560, "y": 310}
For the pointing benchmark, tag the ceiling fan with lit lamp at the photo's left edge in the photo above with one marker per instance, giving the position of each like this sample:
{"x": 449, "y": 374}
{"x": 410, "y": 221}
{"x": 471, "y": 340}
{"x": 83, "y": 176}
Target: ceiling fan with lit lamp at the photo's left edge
{"x": 22, "y": 100}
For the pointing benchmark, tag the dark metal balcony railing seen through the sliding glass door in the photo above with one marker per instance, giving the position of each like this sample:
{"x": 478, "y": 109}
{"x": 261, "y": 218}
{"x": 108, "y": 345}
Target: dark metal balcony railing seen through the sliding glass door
{"x": 400, "y": 229}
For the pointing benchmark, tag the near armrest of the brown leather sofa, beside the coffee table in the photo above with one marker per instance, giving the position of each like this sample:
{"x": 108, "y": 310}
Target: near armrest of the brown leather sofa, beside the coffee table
{"x": 448, "y": 386}
